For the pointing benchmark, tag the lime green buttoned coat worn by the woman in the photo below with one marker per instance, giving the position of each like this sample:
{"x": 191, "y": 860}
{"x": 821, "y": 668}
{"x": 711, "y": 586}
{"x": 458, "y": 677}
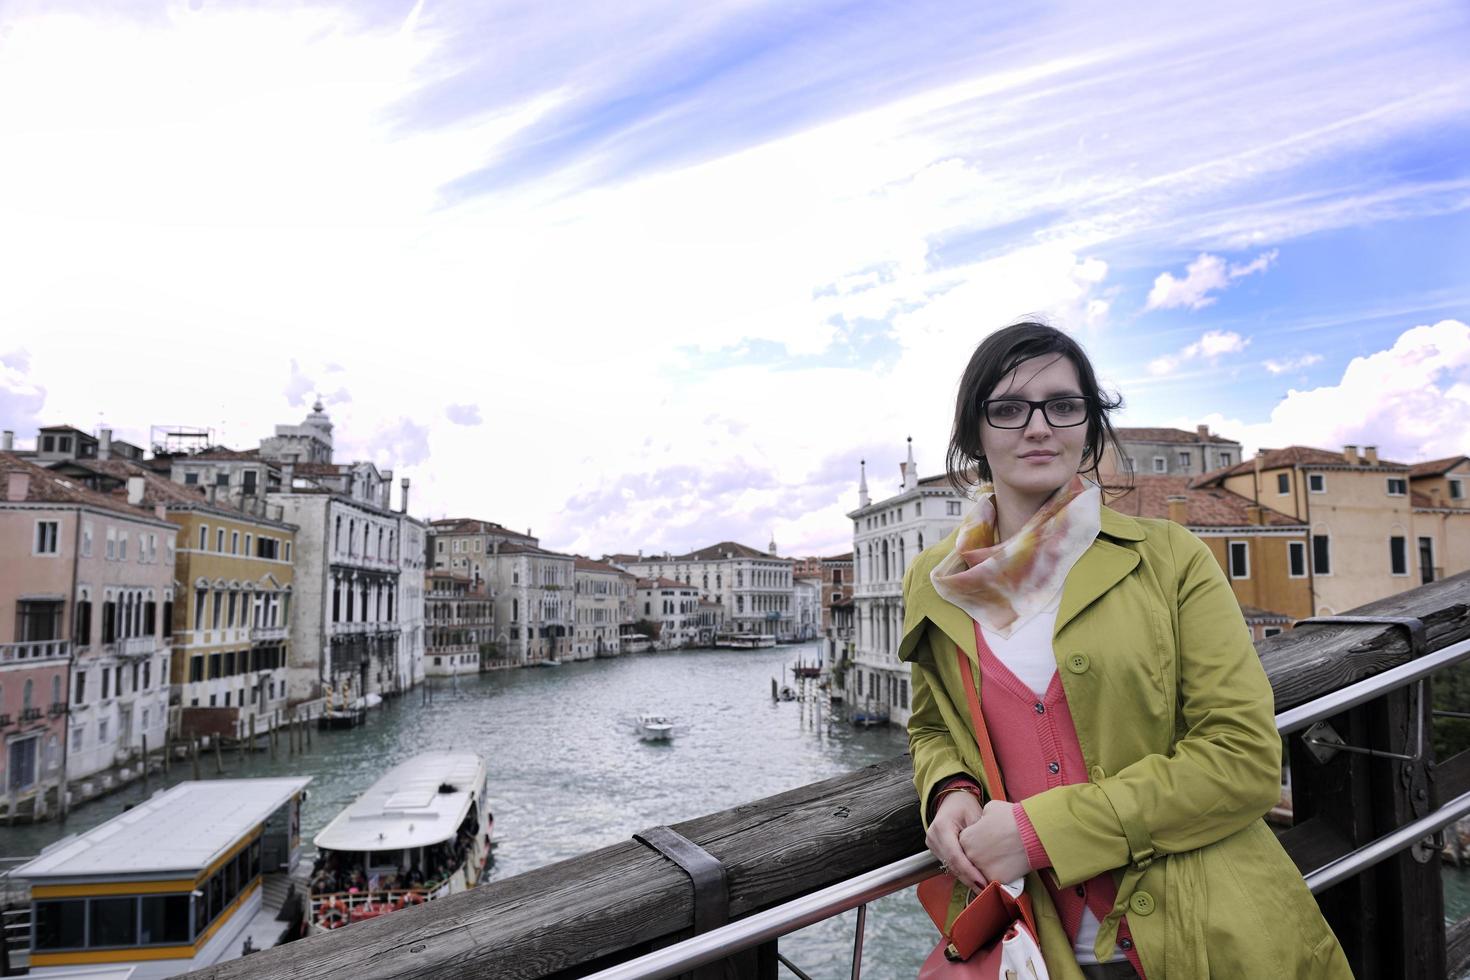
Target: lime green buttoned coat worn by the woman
{"x": 1175, "y": 718}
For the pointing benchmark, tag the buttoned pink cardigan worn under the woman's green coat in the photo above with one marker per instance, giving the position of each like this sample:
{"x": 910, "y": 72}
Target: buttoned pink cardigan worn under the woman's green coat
{"x": 1037, "y": 747}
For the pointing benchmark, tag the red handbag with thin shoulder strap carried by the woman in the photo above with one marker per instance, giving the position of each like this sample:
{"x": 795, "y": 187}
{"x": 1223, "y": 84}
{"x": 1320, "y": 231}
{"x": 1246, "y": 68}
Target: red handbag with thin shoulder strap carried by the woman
{"x": 996, "y": 935}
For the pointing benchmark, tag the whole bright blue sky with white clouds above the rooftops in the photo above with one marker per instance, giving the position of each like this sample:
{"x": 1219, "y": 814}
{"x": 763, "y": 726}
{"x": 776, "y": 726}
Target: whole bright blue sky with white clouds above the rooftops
{"x": 656, "y": 275}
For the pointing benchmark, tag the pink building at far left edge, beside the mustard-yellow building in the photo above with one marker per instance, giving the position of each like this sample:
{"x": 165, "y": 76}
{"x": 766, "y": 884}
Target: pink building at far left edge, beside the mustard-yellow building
{"x": 85, "y": 657}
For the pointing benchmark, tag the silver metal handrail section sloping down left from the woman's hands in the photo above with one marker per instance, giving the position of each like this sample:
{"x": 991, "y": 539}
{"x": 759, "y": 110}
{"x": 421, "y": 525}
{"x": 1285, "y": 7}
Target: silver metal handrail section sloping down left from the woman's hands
{"x": 775, "y": 922}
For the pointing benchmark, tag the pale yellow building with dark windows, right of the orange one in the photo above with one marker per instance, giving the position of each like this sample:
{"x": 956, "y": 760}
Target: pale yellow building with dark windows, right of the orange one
{"x": 1358, "y": 509}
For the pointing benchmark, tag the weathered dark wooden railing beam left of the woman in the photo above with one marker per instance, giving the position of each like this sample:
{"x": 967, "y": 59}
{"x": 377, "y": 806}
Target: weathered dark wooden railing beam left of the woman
{"x": 556, "y": 919}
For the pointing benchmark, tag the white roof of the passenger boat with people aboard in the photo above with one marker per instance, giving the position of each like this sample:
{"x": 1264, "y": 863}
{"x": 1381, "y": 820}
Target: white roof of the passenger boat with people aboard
{"x": 418, "y": 803}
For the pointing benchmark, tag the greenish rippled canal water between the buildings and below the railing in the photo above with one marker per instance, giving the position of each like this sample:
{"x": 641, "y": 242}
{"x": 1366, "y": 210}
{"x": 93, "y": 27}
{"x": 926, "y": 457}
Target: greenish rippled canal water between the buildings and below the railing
{"x": 568, "y": 774}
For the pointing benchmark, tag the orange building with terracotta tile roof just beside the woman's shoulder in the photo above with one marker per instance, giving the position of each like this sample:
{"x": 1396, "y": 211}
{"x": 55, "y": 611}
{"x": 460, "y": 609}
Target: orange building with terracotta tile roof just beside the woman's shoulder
{"x": 1262, "y": 550}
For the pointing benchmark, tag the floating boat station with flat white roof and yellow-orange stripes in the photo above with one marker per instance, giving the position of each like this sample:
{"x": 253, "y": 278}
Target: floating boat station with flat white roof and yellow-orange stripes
{"x": 190, "y": 878}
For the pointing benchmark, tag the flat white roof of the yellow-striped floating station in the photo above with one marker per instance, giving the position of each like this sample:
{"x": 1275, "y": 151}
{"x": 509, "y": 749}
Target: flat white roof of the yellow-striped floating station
{"x": 176, "y": 834}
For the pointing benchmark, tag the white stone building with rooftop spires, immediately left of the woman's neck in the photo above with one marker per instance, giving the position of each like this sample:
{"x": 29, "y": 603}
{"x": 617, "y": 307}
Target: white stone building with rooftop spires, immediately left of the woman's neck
{"x": 887, "y": 536}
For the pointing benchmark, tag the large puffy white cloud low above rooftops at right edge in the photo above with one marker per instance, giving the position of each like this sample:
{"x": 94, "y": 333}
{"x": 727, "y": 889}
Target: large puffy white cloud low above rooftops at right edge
{"x": 1412, "y": 402}
